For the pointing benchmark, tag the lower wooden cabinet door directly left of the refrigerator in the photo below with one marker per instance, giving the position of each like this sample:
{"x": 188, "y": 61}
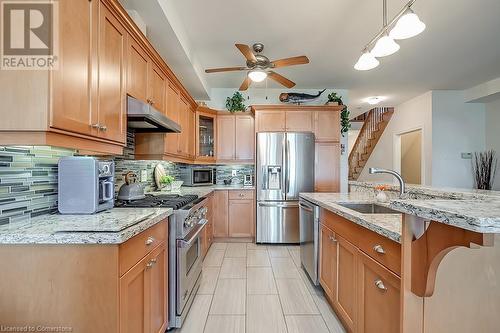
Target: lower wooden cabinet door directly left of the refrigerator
{"x": 241, "y": 218}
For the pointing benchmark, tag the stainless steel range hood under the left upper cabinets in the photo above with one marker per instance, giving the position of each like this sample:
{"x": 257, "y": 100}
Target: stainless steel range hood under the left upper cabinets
{"x": 144, "y": 118}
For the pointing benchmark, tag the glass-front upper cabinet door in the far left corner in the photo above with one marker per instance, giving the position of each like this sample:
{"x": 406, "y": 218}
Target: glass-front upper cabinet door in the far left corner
{"x": 205, "y": 141}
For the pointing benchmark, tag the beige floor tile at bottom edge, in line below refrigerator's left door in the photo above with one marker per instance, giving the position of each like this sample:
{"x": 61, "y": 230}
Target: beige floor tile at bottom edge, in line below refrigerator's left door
{"x": 264, "y": 314}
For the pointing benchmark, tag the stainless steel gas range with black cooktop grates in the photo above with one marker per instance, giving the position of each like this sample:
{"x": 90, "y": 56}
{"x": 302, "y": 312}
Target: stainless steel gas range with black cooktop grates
{"x": 184, "y": 248}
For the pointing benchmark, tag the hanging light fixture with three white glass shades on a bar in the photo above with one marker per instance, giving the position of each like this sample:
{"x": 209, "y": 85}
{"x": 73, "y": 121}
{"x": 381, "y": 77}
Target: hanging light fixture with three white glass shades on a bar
{"x": 405, "y": 24}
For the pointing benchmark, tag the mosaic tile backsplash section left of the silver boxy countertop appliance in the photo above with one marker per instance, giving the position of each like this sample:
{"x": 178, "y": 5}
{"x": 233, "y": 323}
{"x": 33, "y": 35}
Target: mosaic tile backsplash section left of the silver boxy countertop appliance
{"x": 28, "y": 181}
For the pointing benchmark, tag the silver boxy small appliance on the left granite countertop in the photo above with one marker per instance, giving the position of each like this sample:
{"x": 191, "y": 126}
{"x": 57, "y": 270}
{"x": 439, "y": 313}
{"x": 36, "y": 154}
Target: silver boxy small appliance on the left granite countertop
{"x": 86, "y": 185}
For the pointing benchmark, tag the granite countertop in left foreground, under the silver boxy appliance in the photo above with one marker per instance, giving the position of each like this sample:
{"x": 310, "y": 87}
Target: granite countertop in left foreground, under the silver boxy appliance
{"x": 113, "y": 226}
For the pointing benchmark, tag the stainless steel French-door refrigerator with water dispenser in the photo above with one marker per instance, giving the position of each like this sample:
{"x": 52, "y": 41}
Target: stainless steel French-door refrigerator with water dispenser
{"x": 284, "y": 168}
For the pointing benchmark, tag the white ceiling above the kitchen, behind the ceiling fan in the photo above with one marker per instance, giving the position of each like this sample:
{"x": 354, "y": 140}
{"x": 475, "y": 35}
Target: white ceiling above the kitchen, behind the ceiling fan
{"x": 459, "y": 49}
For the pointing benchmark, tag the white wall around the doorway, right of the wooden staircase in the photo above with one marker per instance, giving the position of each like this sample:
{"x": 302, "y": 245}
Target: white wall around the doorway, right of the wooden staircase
{"x": 411, "y": 115}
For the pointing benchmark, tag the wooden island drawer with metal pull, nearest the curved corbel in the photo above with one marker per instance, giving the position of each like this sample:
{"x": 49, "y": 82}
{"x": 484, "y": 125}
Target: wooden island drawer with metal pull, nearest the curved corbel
{"x": 381, "y": 249}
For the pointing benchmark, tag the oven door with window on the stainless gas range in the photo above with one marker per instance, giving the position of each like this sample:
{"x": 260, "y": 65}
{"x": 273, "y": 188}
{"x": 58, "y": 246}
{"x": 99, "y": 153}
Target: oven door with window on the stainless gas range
{"x": 188, "y": 266}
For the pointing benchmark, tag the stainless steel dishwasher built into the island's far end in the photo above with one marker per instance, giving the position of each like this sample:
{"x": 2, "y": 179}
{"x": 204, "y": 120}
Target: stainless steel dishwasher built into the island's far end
{"x": 309, "y": 238}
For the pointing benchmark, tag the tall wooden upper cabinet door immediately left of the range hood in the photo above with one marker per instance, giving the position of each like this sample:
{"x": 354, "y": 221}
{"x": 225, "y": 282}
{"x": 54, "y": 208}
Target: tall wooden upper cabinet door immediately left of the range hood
{"x": 111, "y": 100}
